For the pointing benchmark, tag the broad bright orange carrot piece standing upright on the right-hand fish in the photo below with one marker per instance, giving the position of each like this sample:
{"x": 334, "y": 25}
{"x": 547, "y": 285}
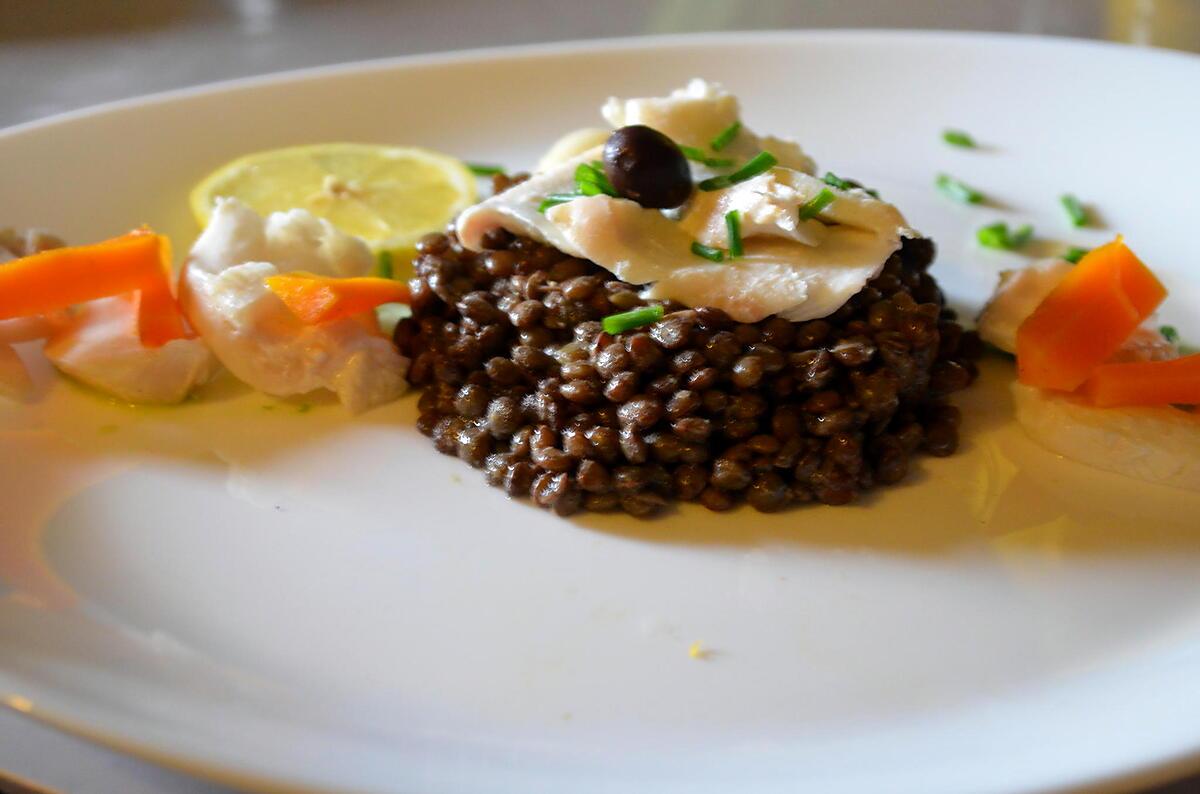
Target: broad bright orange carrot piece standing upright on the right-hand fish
{"x": 1087, "y": 318}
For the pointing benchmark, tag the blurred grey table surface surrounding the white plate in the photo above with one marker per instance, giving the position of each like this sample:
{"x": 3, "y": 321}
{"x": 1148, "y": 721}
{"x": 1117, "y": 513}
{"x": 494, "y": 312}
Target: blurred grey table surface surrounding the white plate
{"x": 76, "y": 53}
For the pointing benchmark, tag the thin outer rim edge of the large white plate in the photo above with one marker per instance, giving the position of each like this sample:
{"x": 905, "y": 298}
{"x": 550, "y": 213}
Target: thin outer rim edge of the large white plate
{"x": 1157, "y": 771}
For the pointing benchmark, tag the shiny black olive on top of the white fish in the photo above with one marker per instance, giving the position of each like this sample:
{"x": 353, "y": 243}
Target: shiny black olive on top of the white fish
{"x": 647, "y": 167}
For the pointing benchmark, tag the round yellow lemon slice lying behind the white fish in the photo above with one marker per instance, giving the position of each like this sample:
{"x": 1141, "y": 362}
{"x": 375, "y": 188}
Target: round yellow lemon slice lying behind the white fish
{"x": 389, "y": 196}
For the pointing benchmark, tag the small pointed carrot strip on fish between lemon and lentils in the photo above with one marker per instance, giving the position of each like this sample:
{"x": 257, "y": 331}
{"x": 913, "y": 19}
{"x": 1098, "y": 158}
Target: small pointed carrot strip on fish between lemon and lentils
{"x": 320, "y": 299}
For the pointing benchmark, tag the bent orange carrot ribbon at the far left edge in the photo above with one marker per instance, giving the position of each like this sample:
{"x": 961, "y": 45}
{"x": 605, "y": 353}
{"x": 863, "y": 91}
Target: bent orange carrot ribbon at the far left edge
{"x": 62, "y": 278}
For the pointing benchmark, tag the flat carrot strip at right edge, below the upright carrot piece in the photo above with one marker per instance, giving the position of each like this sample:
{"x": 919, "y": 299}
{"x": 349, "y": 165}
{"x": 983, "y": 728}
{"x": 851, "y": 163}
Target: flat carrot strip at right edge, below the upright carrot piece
{"x": 1145, "y": 383}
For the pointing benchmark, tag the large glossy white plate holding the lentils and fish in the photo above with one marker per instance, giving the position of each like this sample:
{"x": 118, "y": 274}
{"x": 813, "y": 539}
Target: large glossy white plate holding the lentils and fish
{"x": 286, "y": 598}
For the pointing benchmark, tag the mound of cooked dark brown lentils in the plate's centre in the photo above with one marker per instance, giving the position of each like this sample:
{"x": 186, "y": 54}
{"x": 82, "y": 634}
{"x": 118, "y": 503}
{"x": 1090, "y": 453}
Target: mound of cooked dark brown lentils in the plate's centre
{"x": 521, "y": 381}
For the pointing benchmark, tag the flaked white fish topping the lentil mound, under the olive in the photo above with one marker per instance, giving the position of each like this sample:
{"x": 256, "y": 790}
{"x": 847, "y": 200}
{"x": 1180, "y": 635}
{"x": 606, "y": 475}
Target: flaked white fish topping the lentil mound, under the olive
{"x": 800, "y": 269}
